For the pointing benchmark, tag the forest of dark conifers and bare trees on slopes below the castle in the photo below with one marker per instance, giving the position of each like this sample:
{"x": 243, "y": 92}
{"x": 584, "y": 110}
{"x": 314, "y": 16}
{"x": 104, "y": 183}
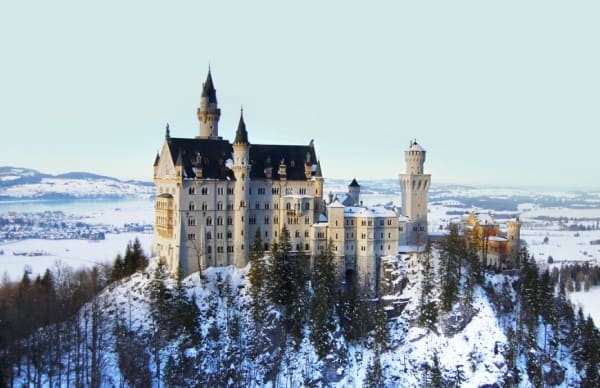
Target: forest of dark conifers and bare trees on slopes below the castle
{"x": 61, "y": 329}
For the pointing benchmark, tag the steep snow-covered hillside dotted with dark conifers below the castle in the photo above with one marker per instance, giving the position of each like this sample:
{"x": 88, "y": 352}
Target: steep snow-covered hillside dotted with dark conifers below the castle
{"x": 145, "y": 328}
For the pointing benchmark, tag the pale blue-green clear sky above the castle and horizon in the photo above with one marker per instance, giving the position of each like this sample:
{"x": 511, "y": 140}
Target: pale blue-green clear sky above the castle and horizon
{"x": 504, "y": 93}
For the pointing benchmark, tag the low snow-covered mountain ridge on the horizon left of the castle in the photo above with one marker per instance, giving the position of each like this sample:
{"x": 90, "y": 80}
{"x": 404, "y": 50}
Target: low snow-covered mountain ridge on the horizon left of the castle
{"x": 18, "y": 183}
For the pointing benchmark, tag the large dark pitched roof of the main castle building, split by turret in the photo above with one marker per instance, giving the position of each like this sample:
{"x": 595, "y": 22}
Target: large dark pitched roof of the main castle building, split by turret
{"x": 212, "y": 156}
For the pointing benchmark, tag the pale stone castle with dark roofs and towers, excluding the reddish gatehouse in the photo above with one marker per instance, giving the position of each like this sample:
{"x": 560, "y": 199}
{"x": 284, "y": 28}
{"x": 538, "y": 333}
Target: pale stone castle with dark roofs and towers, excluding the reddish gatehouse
{"x": 213, "y": 195}
